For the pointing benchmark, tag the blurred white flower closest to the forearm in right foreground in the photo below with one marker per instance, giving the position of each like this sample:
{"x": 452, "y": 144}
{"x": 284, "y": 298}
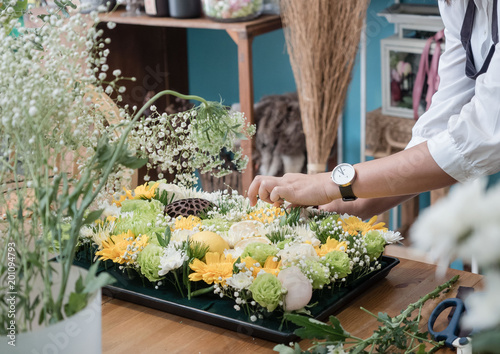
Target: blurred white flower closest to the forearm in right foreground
{"x": 442, "y": 227}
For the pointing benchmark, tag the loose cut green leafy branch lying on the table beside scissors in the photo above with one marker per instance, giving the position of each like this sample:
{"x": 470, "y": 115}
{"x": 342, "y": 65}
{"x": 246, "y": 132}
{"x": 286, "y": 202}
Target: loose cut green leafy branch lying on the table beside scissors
{"x": 399, "y": 332}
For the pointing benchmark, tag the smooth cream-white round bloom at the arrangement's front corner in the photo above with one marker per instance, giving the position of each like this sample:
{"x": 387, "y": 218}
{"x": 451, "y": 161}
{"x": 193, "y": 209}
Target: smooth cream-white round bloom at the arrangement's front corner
{"x": 298, "y": 286}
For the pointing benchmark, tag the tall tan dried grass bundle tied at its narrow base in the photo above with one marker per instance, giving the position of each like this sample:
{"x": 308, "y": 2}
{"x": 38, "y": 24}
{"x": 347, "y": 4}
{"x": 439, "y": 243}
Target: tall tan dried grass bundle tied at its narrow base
{"x": 322, "y": 38}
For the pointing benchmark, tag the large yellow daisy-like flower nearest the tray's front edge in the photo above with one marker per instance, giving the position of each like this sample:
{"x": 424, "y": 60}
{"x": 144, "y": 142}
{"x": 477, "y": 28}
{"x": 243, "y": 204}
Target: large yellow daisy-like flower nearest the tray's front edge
{"x": 216, "y": 268}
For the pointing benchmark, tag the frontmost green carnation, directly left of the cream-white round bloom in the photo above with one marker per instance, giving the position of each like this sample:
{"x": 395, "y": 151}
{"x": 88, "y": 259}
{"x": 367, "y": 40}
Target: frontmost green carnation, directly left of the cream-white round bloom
{"x": 267, "y": 291}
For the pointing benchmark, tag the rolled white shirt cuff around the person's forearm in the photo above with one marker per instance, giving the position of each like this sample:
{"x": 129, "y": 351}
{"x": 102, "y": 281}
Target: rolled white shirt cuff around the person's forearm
{"x": 444, "y": 151}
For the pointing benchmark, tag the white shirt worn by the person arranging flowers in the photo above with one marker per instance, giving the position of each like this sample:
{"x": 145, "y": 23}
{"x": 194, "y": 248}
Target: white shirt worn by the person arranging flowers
{"x": 462, "y": 125}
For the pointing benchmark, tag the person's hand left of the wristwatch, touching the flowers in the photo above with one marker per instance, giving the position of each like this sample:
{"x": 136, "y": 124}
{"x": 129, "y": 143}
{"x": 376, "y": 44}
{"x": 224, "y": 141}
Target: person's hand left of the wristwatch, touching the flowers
{"x": 296, "y": 188}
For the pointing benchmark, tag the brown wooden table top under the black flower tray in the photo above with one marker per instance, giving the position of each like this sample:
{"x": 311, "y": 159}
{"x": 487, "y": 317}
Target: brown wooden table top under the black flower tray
{"x": 130, "y": 328}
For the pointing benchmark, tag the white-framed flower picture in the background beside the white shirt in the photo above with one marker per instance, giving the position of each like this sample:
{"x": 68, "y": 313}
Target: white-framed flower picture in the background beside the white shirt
{"x": 400, "y": 63}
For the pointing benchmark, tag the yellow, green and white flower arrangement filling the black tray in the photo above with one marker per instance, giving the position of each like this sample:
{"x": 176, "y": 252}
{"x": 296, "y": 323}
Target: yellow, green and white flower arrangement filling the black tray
{"x": 265, "y": 258}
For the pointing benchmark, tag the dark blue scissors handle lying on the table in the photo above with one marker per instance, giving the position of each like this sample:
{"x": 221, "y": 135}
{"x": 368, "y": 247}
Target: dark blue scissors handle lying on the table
{"x": 450, "y": 333}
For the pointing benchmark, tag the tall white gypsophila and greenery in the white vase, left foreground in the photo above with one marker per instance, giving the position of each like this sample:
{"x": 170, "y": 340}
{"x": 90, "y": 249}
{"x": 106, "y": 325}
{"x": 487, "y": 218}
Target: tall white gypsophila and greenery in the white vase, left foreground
{"x": 64, "y": 144}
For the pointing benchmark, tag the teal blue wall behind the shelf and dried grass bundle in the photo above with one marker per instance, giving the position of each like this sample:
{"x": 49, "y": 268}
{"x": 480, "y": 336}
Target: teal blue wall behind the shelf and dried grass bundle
{"x": 213, "y": 70}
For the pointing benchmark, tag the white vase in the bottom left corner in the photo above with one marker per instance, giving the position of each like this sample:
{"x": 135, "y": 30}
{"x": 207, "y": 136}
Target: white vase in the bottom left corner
{"x": 80, "y": 333}
